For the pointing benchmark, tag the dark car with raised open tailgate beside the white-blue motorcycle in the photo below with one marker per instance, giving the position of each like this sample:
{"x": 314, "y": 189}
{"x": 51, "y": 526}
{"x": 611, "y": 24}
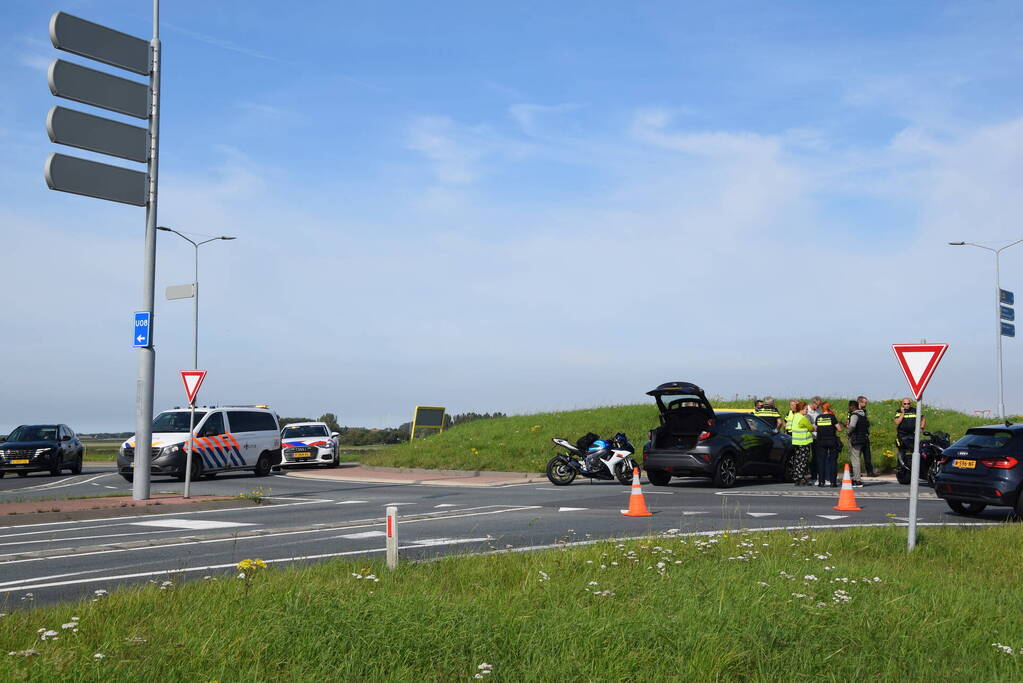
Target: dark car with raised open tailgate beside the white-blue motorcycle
{"x": 693, "y": 440}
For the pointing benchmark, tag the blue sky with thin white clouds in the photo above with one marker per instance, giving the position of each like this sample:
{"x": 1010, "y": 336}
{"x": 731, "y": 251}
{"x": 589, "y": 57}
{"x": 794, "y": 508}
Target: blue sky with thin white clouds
{"x": 527, "y": 207}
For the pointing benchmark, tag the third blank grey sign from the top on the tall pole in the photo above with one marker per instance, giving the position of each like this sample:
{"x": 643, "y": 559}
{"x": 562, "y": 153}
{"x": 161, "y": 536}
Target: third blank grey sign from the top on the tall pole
{"x": 98, "y": 134}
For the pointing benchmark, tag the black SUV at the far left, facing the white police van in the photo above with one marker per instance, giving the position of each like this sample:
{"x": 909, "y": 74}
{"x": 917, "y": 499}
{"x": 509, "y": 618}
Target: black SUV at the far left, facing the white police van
{"x": 33, "y": 448}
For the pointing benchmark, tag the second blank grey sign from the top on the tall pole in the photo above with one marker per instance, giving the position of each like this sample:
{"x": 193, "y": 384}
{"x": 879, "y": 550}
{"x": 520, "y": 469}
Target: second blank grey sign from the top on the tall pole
{"x": 100, "y": 89}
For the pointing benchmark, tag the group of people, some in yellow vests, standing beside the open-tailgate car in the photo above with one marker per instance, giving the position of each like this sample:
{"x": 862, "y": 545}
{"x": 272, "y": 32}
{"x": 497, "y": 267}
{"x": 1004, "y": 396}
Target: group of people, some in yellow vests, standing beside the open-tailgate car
{"x": 815, "y": 429}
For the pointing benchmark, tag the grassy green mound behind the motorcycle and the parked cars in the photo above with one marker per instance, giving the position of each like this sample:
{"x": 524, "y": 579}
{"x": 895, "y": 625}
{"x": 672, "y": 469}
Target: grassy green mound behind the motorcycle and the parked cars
{"x": 522, "y": 443}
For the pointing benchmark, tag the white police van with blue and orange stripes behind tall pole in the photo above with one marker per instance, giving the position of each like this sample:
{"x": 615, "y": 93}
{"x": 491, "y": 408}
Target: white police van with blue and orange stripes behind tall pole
{"x": 226, "y": 439}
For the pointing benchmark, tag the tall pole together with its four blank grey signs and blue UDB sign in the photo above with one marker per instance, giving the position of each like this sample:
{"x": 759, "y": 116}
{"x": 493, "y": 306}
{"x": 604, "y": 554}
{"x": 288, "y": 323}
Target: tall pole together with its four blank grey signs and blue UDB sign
{"x": 107, "y": 181}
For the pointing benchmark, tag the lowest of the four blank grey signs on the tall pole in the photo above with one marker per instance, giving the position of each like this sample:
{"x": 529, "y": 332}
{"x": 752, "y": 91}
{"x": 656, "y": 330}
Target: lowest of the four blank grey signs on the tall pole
{"x": 79, "y": 176}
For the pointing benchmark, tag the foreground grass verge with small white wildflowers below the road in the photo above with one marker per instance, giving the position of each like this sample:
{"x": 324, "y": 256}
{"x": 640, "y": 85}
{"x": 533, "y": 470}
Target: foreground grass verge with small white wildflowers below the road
{"x": 844, "y": 606}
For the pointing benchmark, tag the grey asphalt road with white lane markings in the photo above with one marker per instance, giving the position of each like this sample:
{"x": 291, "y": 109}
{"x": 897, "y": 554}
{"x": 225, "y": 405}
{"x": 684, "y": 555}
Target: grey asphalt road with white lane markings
{"x": 312, "y": 520}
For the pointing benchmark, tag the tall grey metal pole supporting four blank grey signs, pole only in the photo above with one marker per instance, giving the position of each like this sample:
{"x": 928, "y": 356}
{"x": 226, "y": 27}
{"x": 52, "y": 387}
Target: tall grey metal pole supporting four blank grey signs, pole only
{"x": 147, "y": 359}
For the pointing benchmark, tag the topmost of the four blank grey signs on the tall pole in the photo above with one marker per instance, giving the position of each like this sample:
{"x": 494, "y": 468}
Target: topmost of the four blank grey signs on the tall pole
{"x": 77, "y": 36}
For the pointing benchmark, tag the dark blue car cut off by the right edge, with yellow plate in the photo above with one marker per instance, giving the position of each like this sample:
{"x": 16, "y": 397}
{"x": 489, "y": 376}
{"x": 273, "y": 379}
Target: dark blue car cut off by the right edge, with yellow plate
{"x": 985, "y": 468}
